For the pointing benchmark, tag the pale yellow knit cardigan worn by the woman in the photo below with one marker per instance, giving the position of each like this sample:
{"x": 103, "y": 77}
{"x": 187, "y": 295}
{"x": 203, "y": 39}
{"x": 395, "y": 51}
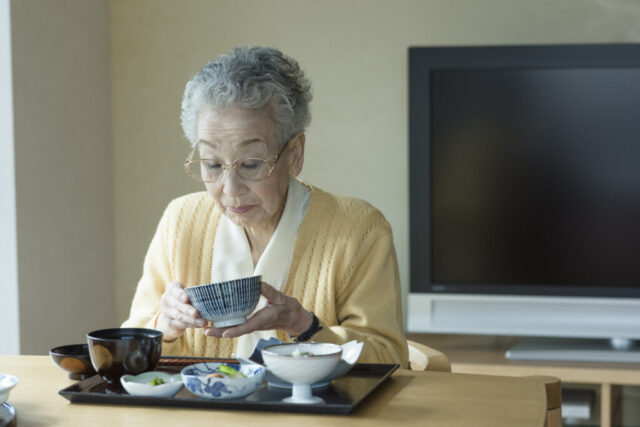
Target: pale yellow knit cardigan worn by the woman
{"x": 344, "y": 269}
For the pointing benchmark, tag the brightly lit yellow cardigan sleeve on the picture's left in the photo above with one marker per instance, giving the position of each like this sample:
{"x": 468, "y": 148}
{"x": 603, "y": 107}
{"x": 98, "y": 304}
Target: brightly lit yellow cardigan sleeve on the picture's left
{"x": 145, "y": 307}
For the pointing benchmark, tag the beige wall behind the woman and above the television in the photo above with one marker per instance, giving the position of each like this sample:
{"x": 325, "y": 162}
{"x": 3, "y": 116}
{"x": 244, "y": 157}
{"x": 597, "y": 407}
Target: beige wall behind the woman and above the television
{"x": 354, "y": 51}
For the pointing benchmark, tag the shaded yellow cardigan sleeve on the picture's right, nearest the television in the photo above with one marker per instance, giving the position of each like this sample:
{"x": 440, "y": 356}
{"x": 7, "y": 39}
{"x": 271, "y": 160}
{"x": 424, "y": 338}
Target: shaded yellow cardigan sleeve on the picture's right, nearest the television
{"x": 368, "y": 306}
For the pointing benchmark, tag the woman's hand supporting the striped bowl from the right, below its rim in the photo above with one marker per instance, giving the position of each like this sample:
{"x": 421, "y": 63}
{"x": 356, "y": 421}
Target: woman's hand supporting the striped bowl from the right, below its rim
{"x": 281, "y": 312}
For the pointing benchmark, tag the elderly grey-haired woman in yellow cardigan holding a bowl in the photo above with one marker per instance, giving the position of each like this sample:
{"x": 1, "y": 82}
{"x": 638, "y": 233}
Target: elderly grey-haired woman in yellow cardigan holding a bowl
{"x": 328, "y": 263}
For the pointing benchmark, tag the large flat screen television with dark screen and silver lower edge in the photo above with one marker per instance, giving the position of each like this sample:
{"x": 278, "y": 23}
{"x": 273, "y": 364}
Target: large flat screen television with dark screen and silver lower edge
{"x": 525, "y": 194}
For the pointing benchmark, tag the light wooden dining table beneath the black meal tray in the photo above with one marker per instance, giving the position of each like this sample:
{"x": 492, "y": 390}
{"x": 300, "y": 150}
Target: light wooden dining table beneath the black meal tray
{"x": 407, "y": 398}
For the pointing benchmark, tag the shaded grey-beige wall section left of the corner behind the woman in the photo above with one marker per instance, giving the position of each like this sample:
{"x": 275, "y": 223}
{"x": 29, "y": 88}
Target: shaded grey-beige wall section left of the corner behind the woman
{"x": 62, "y": 110}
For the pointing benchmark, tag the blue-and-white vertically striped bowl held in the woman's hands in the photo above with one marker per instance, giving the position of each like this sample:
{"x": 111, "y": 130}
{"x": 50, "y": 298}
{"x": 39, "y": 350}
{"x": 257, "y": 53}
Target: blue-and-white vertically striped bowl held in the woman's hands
{"x": 226, "y": 303}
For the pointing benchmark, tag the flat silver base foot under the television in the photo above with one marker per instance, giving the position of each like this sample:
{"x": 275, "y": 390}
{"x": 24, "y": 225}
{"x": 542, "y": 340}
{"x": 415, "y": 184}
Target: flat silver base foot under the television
{"x": 575, "y": 350}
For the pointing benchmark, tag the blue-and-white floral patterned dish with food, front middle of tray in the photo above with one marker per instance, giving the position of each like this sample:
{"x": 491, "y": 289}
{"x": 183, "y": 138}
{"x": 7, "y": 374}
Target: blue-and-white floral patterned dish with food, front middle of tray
{"x": 195, "y": 379}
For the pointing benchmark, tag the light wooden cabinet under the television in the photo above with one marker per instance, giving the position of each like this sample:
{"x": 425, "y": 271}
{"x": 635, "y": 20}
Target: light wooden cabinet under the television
{"x": 476, "y": 354}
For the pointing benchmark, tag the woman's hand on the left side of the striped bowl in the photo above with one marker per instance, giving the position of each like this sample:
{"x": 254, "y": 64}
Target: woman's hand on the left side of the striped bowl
{"x": 176, "y": 313}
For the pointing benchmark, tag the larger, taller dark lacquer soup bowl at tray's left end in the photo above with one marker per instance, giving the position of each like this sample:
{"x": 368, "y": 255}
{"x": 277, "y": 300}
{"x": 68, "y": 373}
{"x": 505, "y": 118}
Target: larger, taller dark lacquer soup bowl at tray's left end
{"x": 119, "y": 351}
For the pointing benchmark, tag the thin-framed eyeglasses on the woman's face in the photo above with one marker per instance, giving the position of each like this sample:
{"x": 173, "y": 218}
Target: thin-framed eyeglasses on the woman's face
{"x": 211, "y": 170}
